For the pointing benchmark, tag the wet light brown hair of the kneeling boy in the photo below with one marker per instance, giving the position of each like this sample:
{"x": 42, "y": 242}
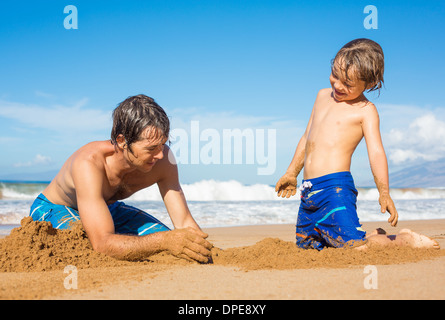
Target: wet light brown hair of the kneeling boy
{"x": 364, "y": 58}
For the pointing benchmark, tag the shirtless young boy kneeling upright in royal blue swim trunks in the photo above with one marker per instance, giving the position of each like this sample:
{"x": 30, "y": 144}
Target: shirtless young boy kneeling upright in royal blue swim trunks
{"x": 340, "y": 118}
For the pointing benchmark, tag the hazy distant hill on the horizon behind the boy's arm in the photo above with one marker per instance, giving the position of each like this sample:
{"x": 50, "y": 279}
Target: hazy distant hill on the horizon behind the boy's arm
{"x": 426, "y": 175}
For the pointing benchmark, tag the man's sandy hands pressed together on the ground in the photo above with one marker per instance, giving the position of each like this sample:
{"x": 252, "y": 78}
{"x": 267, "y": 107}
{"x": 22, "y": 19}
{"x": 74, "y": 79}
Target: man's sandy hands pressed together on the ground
{"x": 189, "y": 244}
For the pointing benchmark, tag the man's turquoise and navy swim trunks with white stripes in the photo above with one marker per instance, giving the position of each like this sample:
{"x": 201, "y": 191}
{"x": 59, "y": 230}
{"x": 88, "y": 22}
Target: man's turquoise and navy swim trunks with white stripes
{"x": 127, "y": 219}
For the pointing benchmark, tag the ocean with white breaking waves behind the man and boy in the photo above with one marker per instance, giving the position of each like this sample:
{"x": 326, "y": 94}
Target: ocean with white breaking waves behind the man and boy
{"x": 231, "y": 203}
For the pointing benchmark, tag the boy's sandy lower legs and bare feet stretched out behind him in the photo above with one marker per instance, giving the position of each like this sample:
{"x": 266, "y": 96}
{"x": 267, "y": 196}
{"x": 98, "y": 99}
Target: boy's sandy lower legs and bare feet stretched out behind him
{"x": 405, "y": 238}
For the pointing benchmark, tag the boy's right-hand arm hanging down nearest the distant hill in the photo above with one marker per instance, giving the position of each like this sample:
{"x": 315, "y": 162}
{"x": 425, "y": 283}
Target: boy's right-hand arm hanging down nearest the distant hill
{"x": 378, "y": 161}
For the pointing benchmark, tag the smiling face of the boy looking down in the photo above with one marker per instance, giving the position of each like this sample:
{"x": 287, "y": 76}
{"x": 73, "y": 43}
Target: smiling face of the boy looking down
{"x": 345, "y": 89}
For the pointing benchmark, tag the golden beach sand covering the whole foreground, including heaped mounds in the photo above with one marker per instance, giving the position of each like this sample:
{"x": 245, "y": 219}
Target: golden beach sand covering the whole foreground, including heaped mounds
{"x": 249, "y": 262}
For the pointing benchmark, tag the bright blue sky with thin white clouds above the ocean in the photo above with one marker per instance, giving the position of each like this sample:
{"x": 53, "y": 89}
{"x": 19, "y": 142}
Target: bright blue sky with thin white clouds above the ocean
{"x": 227, "y": 64}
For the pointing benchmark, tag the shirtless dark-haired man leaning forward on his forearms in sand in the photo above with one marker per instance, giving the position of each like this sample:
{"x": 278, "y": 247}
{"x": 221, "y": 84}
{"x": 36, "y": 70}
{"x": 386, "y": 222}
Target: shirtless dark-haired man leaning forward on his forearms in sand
{"x": 99, "y": 174}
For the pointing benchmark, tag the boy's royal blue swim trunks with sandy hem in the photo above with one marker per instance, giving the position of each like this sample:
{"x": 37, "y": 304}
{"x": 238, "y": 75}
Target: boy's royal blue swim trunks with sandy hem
{"x": 328, "y": 214}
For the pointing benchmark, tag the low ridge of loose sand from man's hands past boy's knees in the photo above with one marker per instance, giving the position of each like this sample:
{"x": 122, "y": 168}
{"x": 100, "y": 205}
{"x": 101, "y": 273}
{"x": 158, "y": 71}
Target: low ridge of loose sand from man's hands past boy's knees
{"x": 278, "y": 254}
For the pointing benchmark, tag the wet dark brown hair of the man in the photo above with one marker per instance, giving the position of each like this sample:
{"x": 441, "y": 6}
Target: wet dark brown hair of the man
{"x": 134, "y": 115}
